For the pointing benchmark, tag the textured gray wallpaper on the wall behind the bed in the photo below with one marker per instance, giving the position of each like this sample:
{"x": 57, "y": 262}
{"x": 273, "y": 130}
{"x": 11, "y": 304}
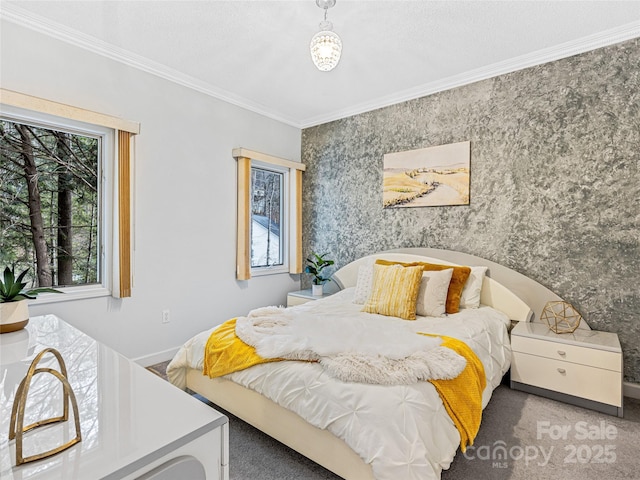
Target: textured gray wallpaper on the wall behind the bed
{"x": 555, "y": 182}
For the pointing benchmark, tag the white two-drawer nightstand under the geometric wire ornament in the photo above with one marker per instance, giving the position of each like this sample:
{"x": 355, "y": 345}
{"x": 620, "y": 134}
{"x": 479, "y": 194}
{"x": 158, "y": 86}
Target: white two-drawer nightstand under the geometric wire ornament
{"x": 583, "y": 368}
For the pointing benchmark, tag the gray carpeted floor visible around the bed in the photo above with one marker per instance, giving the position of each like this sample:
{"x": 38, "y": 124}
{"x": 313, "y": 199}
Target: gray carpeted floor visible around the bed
{"x": 522, "y": 436}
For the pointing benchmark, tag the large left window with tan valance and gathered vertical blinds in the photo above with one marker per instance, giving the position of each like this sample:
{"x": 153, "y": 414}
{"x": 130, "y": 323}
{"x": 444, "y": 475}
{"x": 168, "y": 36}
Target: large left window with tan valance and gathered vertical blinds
{"x": 65, "y": 197}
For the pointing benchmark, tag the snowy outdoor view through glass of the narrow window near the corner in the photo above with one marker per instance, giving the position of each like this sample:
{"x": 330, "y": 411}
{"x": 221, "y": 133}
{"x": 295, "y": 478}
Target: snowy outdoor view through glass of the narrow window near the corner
{"x": 266, "y": 217}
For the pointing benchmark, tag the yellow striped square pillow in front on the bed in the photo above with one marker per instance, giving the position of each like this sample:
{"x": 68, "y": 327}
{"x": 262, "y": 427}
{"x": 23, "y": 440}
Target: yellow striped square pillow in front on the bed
{"x": 394, "y": 291}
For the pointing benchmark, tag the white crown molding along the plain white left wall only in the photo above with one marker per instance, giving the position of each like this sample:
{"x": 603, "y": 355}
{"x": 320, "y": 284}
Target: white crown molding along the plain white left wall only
{"x": 61, "y": 32}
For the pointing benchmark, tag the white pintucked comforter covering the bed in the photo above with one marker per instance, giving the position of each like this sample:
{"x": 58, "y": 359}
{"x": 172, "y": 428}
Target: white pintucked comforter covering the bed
{"x": 403, "y": 431}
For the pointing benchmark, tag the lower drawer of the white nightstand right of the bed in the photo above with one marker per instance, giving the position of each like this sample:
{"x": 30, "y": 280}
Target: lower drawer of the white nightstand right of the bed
{"x": 595, "y": 384}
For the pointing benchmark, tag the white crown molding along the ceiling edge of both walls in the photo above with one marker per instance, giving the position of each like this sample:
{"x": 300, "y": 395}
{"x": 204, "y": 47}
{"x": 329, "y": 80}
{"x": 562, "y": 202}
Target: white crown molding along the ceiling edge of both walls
{"x": 29, "y": 20}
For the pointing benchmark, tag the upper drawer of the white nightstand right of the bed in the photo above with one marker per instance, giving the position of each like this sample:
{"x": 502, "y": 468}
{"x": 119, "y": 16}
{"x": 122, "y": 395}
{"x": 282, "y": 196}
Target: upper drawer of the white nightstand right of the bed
{"x": 570, "y": 353}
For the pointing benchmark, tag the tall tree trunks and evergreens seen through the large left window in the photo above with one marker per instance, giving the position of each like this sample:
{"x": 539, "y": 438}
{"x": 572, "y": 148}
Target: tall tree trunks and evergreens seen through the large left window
{"x": 49, "y": 204}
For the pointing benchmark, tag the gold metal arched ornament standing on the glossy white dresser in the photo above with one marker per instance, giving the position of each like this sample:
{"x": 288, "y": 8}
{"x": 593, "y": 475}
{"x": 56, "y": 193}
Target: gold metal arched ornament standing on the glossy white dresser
{"x": 17, "y": 428}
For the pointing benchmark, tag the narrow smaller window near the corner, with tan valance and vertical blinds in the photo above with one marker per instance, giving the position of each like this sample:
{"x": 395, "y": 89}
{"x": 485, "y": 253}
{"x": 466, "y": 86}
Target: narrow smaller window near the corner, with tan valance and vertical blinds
{"x": 269, "y": 214}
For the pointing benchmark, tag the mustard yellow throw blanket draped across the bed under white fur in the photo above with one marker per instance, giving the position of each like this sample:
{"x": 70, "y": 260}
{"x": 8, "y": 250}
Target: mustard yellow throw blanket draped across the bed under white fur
{"x": 462, "y": 396}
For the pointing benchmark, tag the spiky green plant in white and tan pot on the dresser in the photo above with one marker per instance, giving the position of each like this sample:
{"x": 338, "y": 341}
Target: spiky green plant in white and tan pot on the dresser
{"x": 14, "y": 312}
